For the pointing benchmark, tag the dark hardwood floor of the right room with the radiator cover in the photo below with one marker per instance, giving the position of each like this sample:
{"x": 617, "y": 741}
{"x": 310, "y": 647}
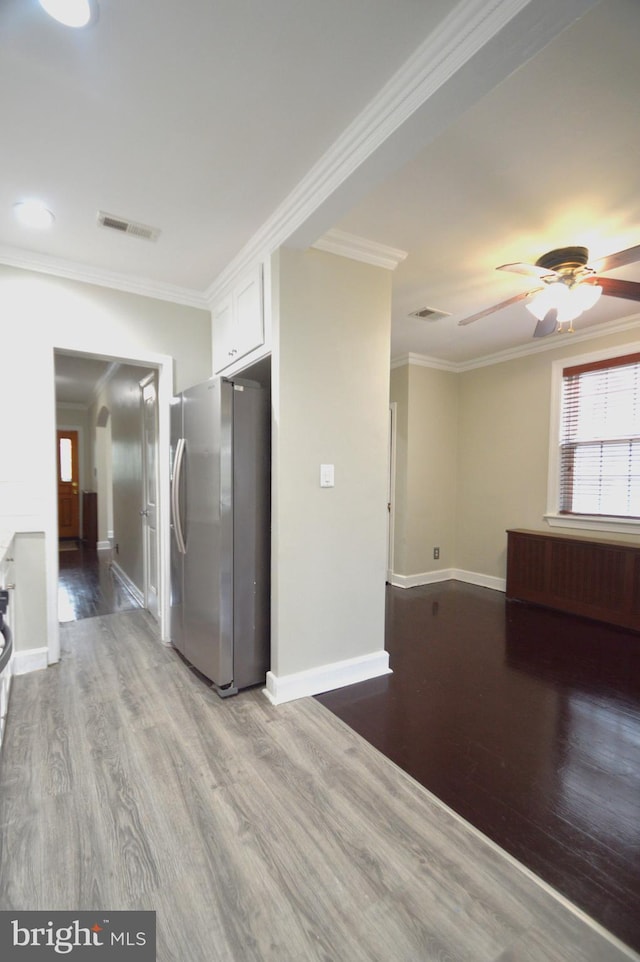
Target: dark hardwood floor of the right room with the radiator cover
{"x": 527, "y": 723}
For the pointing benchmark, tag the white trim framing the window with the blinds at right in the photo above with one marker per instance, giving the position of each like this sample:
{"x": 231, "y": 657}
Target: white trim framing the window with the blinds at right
{"x": 552, "y": 517}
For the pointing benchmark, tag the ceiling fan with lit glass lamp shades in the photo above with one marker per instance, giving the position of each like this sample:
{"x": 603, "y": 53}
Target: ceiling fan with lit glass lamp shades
{"x": 569, "y": 286}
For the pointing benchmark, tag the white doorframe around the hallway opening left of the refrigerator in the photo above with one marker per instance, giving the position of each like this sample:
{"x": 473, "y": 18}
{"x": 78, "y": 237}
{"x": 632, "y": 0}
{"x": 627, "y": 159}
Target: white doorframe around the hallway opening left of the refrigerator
{"x": 163, "y": 364}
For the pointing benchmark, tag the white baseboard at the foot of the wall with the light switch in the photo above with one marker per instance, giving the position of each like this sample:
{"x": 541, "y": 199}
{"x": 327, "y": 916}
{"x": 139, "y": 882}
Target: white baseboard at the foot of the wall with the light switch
{"x": 300, "y": 684}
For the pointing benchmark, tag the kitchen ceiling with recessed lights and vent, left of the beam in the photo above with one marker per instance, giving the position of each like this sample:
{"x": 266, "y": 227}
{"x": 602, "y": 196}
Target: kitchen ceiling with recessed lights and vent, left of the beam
{"x": 195, "y": 117}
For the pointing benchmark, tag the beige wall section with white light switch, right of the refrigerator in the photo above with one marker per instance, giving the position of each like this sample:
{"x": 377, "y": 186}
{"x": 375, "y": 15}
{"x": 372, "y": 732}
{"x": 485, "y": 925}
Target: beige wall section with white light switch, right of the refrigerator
{"x": 331, "y": 394}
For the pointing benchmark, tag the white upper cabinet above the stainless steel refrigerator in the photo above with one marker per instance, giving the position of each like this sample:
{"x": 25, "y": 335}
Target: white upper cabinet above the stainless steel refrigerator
{"x": 238, "y": 321}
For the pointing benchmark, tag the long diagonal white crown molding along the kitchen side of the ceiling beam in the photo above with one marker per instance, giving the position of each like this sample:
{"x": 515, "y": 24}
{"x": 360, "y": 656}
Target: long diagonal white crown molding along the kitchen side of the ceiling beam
{"x": 463, "y": 32}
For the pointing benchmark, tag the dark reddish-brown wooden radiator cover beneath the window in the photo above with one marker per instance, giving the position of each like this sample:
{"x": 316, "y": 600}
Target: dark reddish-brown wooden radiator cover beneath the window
{"x": 597, "y": 579}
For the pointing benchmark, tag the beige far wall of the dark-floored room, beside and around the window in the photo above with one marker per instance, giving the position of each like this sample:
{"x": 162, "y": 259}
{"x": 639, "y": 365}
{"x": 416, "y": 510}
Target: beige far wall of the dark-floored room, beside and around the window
{"x": 465, "y": 479}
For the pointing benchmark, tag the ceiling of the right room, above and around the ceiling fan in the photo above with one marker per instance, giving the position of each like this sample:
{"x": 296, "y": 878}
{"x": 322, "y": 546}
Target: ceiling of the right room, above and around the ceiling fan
{"x": 549, "y": 158}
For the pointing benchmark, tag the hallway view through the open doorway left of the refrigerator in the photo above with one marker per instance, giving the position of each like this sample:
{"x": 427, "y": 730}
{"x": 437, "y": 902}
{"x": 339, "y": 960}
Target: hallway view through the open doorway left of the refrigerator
{"x": 104, "y": 574}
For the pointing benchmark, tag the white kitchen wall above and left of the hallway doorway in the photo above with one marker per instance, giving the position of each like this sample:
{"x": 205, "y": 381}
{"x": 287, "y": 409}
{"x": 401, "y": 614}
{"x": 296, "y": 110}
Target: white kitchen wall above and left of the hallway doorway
{"x": 42, "y": 313}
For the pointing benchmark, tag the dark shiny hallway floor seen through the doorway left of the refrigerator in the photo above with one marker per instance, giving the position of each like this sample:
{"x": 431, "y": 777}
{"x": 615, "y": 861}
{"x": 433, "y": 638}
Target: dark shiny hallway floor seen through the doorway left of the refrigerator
{"x": 87, "y": 586}
